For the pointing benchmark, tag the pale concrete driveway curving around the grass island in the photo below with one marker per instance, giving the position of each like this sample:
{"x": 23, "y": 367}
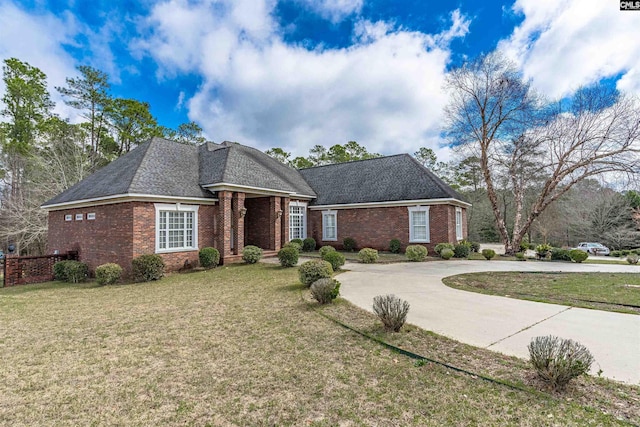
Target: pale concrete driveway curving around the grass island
{"x": 498, "y": 323}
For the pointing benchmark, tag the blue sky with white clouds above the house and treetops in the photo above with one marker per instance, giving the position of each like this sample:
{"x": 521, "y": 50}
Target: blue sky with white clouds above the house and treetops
{"x": 296, "y": 73}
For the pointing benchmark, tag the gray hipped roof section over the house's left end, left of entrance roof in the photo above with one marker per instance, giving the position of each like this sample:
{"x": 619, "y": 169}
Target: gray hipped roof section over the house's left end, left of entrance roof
{"x": 157, "y": 167}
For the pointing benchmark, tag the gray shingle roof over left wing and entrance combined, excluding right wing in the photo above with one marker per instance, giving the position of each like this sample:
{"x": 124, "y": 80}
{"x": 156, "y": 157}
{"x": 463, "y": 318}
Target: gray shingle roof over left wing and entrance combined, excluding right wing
{"x": 167, "y": 168}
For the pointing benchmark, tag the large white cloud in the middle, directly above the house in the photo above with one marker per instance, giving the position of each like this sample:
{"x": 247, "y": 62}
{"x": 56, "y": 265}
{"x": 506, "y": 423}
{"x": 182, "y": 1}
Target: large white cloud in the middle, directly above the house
{"x": 384, "y": 91}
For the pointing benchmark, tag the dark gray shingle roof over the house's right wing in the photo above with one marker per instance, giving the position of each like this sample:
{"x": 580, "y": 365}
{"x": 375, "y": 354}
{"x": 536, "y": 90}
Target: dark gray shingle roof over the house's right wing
{"x": 381, "y": 179}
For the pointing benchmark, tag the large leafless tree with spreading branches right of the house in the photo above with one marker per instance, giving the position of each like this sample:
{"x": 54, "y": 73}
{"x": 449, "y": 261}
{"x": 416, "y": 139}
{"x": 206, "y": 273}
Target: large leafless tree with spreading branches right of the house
{"x": 494, "y": 115}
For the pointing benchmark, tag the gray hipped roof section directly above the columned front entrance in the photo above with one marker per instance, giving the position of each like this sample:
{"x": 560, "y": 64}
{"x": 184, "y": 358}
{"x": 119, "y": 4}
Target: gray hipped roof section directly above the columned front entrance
{"x": 233, "y": 163}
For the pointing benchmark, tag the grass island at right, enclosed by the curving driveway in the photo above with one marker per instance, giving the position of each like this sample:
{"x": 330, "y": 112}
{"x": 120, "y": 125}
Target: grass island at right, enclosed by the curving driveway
{"x": 603, "y": 291}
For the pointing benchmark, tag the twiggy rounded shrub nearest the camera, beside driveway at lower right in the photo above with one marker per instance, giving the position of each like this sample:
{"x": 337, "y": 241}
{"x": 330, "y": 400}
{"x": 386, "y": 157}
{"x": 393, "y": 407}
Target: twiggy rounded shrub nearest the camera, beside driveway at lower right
{"x": 557, "y": 361}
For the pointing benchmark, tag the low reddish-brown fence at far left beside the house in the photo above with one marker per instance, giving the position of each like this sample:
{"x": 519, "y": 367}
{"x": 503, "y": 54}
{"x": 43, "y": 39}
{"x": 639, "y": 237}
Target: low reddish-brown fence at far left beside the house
{"x": 21, "y": 270}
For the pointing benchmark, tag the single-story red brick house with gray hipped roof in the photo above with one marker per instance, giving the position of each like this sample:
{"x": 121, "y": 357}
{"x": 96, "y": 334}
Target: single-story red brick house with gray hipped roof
{"x": 173, "y": 199}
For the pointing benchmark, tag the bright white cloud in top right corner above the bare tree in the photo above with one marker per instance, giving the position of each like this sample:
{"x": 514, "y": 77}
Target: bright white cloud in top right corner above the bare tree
{"x": 564, "y": 44}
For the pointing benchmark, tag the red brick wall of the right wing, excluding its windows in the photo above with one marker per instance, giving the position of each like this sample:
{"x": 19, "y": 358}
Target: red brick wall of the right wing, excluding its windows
{"x": 375, "y": 227}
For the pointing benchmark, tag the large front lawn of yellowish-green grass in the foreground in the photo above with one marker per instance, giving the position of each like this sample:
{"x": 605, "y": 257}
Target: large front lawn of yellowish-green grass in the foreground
{"x": 242, "y": 345}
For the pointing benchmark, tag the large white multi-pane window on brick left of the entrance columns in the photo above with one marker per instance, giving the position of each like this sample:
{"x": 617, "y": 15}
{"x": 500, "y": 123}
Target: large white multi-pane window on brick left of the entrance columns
{"x": 176, "y": 227}
